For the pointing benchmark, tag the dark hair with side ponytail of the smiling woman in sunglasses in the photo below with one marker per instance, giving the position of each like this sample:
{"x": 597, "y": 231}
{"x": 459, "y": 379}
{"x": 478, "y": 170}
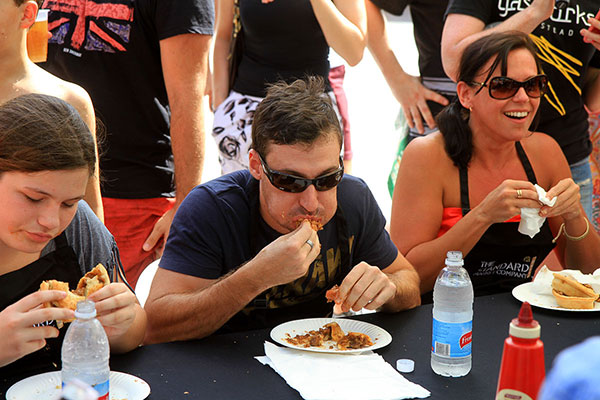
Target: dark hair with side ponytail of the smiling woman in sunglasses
{"x": 453, "y": 121}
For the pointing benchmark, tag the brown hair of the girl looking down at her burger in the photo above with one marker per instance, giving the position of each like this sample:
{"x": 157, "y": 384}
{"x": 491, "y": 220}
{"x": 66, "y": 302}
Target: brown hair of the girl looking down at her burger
{"x": 43, "y": 133}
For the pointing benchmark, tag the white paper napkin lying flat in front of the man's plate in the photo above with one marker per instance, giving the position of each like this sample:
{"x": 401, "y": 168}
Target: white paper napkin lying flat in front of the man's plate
{"x": 320, "y": 376}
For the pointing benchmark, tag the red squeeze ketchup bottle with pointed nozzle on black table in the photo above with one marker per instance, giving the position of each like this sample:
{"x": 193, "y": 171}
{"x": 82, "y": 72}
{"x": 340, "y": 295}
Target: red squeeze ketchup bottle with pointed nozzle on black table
{"x": 522, "y": 370}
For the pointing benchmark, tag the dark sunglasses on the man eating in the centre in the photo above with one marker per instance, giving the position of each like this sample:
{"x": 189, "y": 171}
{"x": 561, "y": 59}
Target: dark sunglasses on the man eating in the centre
{"x": 295, "y": 184}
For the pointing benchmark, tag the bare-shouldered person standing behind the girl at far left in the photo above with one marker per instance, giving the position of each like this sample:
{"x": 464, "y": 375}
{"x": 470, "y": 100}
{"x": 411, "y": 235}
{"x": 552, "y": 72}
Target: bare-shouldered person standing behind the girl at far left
{"x": 19, "y": 75}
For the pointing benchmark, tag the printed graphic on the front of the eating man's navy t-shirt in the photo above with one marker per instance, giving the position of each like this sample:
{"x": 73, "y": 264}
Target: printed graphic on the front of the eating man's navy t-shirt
{"x": 320, "y": 276}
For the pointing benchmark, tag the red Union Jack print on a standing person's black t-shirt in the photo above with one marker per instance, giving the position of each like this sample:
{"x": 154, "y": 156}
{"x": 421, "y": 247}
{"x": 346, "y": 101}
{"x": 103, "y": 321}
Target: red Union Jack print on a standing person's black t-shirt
{"x": 90, "y": 25}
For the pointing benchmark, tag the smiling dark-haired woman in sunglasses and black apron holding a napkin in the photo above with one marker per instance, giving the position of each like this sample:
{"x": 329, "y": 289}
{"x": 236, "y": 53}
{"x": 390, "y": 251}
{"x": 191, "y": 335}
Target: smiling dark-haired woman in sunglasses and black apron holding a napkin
{"x": 464, "y": 187}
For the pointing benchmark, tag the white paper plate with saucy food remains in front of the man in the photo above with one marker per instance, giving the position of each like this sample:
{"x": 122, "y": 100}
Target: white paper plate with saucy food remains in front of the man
{"x": 380, "y": 337}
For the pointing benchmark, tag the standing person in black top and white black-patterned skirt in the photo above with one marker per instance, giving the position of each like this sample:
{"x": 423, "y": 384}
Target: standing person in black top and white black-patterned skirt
{"x": 280, "y": 40}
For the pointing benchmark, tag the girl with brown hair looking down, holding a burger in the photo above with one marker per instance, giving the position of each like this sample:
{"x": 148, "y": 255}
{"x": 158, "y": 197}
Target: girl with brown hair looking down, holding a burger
{"x": 47, "y": 156}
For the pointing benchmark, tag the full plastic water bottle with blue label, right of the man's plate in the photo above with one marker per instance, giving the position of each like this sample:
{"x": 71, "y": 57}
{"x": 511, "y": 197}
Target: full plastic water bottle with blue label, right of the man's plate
{"x": 452, "y": 319}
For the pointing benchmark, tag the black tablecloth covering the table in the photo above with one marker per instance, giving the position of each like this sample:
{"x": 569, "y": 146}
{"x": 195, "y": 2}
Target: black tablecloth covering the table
{"x": 223, "y": 366}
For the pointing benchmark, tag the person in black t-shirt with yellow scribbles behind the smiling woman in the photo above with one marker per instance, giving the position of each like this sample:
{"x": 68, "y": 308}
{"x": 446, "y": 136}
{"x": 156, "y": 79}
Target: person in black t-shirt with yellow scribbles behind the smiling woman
{"x": 568, "y": 51}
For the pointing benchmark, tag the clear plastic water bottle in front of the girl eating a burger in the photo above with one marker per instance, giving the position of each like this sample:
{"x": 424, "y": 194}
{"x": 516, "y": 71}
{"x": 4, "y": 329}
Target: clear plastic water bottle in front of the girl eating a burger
{"x": 85, "y": 351}
